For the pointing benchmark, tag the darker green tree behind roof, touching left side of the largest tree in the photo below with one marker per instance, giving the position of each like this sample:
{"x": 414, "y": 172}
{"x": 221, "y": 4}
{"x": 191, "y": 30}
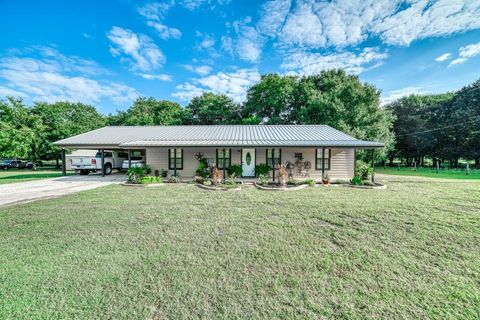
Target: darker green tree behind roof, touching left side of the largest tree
{"x": 270, "y": 100}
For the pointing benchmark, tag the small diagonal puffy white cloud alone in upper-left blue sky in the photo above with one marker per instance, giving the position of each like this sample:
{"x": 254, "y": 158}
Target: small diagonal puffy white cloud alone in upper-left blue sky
{"x": 138, "y": 50}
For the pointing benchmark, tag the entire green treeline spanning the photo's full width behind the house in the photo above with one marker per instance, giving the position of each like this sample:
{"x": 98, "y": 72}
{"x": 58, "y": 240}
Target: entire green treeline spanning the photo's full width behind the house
{"x": 332, "y": 97}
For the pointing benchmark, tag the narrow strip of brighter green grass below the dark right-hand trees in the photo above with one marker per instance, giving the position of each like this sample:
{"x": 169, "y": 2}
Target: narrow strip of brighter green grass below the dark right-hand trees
{"x": 430, "y": 172}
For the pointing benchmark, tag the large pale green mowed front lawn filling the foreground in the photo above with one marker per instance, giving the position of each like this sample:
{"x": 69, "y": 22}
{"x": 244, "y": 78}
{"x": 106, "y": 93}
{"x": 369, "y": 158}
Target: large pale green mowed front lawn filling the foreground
{"x": 411, "y": 251}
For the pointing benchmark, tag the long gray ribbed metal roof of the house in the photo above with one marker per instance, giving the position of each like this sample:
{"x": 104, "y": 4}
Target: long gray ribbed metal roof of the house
{"x": 221, "y": 135}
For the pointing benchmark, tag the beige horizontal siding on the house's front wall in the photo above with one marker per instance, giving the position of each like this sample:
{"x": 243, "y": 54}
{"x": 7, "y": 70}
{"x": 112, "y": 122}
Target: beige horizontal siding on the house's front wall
{"x": 342, "y": 160}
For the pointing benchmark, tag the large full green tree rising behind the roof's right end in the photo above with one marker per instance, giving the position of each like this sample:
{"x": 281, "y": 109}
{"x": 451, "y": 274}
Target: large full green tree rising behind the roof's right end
{"x": 342, "y": 101}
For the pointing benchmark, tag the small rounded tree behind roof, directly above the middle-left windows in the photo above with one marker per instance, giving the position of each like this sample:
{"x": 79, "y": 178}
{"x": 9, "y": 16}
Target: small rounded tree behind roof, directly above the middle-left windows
{"x": 210, "y": 108}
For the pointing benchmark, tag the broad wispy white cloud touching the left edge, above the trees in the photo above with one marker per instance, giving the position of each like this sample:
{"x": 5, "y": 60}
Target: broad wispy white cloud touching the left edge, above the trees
{"x": 53, "y": 77}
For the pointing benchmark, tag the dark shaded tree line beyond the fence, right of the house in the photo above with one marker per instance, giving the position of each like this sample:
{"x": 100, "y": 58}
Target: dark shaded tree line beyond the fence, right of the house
{"x": 439, "y": 127}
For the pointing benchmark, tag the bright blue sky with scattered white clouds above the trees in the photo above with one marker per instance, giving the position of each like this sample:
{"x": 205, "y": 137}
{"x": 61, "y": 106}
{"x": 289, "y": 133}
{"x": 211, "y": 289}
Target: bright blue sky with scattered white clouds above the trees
{"x": 107, "y": 53}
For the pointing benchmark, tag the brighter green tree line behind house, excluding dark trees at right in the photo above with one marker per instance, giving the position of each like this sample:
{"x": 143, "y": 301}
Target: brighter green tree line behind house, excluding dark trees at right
{"x": 332, "y": 97}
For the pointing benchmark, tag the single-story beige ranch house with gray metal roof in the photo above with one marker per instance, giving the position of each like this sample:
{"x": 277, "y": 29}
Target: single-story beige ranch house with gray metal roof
{"x": 308, "y": 150}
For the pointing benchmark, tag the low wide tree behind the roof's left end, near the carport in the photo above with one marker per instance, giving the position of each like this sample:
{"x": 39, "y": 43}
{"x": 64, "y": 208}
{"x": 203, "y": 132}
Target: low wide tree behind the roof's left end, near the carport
{"x": 149, "y": 111}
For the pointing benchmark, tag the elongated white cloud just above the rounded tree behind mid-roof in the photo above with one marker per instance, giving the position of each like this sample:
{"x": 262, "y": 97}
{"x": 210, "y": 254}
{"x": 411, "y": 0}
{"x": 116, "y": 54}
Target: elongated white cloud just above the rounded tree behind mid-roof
{"x": 233, "y": 84}
